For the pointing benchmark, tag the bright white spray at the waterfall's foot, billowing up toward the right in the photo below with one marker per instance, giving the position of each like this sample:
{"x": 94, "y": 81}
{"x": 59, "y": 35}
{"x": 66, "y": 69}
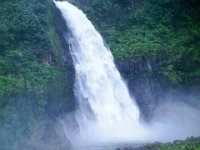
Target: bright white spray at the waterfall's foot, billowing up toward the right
{"x": 172, "y": 120}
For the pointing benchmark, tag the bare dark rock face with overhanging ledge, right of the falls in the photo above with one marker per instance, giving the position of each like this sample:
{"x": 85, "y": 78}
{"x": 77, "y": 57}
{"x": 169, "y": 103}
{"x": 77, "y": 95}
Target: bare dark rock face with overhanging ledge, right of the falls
{"x": 144, "y": 83}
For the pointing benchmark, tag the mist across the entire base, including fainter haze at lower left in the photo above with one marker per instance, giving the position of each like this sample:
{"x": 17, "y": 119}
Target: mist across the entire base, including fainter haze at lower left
{"x": 174, "y": 119}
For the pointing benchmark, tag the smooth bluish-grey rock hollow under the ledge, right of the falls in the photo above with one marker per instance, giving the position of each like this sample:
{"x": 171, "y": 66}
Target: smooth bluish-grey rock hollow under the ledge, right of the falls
{"x": 147, "y": 92}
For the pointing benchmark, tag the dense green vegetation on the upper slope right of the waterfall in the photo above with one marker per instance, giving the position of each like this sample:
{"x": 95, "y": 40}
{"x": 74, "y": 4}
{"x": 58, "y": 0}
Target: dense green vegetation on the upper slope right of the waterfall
{"x": 165, "y": 31}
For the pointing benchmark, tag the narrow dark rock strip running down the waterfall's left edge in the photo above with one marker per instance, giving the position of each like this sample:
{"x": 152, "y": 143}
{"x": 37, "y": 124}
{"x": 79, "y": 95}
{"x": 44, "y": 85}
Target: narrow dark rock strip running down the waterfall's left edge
{"x": 66, "y": 58}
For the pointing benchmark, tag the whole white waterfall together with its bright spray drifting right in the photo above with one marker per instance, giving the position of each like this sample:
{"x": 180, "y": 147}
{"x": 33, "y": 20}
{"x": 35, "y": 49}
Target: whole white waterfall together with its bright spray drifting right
{"x": 106, "y": 112}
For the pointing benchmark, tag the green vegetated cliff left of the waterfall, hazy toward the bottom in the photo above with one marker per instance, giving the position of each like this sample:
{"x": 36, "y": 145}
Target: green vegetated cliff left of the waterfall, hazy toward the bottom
{"x": 34, "y": 81}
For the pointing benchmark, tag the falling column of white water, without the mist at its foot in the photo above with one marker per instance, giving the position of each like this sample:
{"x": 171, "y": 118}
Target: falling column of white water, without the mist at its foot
{"x": 105, "y": 106}
